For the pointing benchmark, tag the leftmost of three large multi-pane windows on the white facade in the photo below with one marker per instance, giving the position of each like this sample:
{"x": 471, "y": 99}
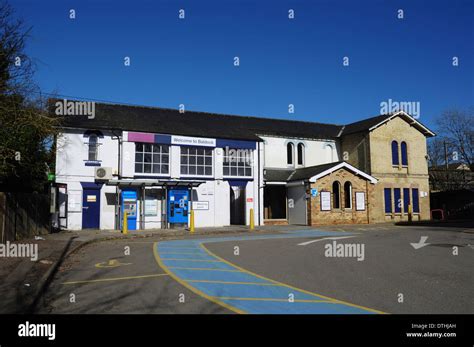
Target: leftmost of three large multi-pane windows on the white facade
{"x": 152, "y": 158}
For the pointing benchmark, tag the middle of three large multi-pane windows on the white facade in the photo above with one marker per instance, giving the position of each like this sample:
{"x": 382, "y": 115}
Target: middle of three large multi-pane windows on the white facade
{"x": 196, "y": 161}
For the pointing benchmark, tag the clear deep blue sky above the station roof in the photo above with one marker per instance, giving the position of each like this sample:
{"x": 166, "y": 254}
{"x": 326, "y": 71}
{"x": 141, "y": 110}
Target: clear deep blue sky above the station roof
{"x": 282, "y": 61}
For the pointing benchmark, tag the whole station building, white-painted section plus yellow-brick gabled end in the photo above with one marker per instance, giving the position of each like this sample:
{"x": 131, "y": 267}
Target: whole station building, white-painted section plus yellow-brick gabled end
{"x": 159, "y": 164}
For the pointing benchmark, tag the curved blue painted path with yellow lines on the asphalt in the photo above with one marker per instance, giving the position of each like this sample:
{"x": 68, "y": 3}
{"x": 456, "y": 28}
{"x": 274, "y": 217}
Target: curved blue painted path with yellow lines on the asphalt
{"x": 190, "y": 263}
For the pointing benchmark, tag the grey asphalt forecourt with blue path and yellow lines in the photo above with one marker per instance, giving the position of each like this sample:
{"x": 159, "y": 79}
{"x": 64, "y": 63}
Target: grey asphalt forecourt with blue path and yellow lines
{"x": 271, "y": 274}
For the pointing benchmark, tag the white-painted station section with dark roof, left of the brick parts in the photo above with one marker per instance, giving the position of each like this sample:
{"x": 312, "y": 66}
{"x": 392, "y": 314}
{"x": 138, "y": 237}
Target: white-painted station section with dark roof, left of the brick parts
{"x": 158, "y": 164}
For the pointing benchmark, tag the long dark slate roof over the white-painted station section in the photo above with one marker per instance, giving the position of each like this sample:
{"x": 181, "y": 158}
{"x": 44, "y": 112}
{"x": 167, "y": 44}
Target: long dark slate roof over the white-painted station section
{"x": 171, "y": 121}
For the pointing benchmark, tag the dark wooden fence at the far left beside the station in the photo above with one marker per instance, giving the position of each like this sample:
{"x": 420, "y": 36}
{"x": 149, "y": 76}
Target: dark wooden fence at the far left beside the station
{"x": 23, "y": 215}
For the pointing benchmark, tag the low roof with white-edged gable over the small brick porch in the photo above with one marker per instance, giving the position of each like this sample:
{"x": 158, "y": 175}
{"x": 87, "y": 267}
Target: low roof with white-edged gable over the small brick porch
{"x": 312, "y": 173}
